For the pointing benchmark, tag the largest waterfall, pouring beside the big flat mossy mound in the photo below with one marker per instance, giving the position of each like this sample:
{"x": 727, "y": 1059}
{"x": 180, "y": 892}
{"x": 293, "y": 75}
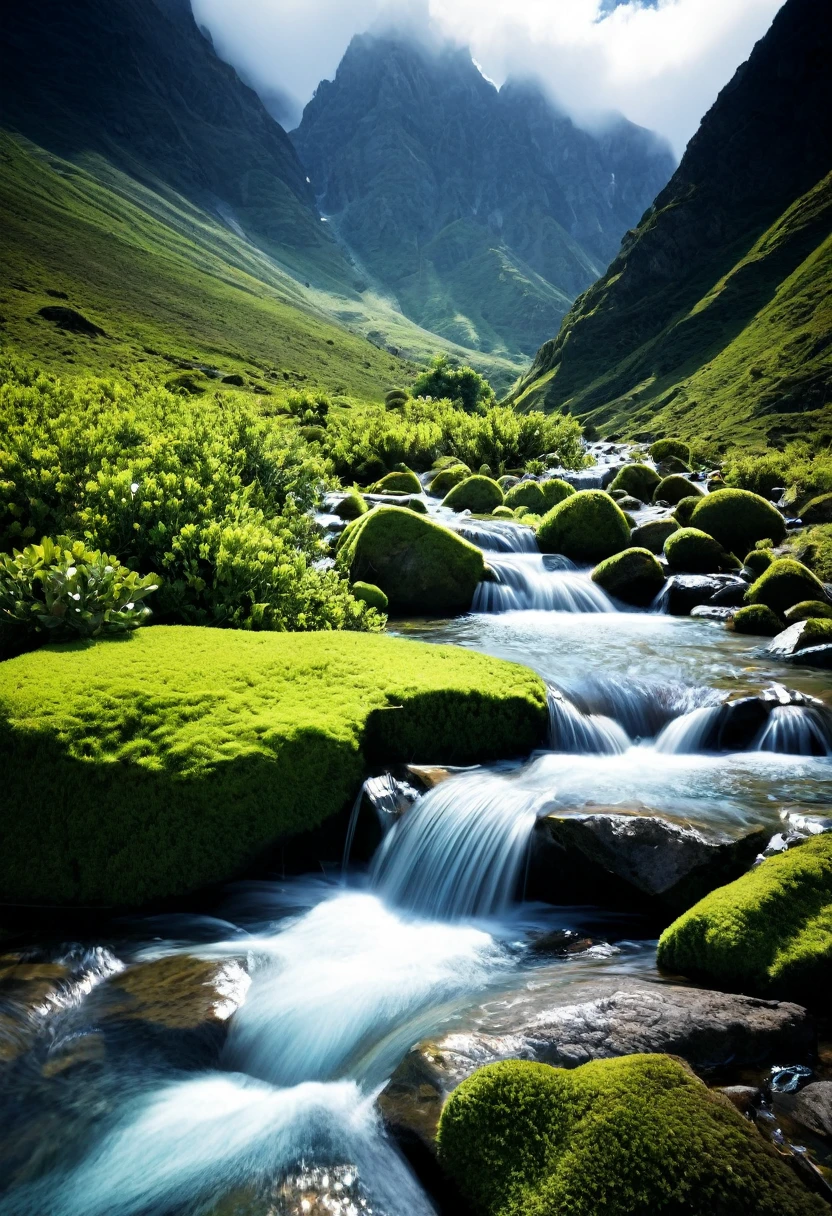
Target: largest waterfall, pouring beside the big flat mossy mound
{"x": 462, "y": 848}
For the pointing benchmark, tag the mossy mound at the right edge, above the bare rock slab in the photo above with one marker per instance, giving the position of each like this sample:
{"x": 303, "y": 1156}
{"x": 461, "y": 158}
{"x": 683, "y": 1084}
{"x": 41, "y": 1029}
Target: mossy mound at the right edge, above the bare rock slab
{"x": 769, "y": 932}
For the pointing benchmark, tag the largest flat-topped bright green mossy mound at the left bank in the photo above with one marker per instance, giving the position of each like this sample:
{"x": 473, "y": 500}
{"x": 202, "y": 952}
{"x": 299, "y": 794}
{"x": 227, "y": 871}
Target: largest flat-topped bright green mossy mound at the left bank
{"x": 149, "y": 765}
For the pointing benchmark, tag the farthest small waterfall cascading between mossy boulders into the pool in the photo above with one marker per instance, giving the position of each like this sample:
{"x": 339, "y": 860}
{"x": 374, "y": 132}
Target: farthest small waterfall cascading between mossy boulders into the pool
{"x": 524, "y": 581}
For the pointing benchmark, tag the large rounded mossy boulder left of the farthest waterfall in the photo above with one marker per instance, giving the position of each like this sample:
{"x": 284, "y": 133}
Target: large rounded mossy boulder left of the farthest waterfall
{"x": 420, "y": 566}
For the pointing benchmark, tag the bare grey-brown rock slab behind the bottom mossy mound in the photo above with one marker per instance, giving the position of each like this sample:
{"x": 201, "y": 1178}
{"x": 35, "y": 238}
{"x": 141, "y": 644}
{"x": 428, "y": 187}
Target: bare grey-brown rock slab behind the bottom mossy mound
{"x": 710, "y": 1031}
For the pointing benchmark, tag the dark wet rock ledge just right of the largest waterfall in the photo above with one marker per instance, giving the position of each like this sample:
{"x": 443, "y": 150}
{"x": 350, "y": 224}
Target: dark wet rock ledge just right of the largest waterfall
{"x": 633, "y": 857}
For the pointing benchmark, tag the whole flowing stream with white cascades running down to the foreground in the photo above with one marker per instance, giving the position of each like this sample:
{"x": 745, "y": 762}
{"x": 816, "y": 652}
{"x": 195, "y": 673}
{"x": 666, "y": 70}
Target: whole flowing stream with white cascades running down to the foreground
{"x": 116, "y": 1110}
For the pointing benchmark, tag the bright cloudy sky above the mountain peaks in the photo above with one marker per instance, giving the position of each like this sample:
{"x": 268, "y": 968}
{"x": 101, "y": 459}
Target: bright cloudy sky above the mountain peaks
{"x": 660, "y": 63}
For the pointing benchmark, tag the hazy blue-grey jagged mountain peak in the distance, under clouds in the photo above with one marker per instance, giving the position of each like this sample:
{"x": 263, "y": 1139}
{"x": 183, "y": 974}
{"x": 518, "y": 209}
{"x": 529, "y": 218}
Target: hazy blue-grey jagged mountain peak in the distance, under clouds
{"x": 486, "y": 212}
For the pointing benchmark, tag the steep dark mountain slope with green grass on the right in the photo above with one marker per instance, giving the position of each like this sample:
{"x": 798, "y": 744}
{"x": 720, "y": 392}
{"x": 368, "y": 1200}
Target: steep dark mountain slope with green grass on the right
{"x": 716, "y": 319}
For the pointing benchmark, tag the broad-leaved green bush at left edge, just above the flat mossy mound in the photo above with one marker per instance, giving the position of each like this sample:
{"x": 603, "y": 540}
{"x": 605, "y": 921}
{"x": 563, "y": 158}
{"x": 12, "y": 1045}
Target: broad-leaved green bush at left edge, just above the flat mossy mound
{"x": 61, "y": 590}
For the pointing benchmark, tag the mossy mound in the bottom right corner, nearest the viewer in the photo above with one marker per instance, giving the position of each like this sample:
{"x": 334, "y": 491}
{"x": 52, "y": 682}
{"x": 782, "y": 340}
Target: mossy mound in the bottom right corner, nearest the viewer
{"x": 633, "y": 1136}
